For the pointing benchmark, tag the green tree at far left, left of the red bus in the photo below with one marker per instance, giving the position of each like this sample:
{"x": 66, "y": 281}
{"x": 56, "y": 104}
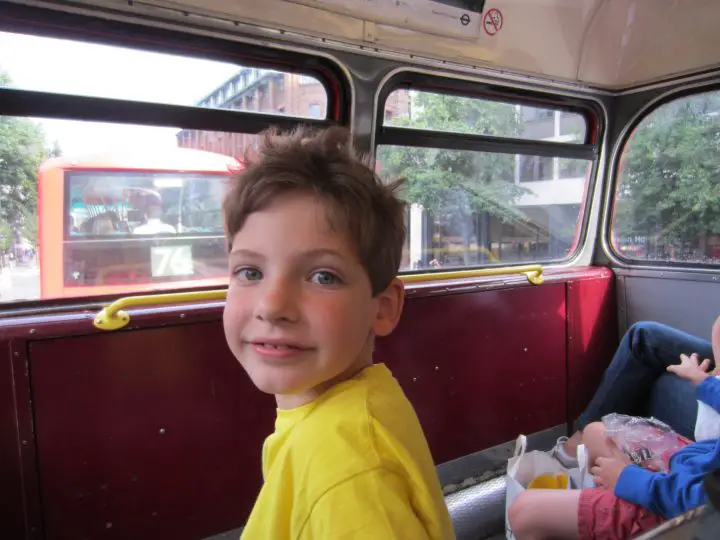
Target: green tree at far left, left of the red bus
{"x": 22, "y": 150}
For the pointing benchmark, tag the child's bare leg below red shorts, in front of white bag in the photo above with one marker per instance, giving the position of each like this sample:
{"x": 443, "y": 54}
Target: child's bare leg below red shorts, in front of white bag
{"x": 539, "y": 514}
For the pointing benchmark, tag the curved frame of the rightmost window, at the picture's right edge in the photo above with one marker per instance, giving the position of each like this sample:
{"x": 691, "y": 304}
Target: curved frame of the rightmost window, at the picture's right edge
{"x": 609, "y": 200}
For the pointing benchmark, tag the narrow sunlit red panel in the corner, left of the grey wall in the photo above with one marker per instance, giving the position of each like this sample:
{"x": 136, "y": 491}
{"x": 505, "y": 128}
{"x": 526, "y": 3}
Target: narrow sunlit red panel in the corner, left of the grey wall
{"x": 592, "y": 334}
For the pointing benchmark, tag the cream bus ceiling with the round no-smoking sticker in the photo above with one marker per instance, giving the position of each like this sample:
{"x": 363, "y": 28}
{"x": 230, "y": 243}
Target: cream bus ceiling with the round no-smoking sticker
{"x": 610, "y": 44}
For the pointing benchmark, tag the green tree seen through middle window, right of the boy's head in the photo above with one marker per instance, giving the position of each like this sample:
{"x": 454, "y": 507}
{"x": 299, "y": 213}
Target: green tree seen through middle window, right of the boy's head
{"x": 462, "y": 189}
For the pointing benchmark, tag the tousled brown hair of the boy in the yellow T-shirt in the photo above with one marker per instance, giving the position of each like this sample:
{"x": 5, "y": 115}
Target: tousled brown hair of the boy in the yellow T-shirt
{"x": 324, "y": 163}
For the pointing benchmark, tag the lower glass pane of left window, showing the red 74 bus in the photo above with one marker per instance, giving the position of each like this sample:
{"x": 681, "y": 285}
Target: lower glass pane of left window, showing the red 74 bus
{"x": 99, "y": 209}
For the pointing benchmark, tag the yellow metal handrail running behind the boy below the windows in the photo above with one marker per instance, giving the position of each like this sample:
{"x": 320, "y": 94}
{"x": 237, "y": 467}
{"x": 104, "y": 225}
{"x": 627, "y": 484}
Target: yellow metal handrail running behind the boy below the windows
{"x": 114, "y": 316}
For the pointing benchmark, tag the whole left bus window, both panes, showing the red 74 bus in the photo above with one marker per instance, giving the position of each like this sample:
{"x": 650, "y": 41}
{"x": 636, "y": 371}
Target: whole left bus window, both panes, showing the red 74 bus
{"x": 96, "y": 208}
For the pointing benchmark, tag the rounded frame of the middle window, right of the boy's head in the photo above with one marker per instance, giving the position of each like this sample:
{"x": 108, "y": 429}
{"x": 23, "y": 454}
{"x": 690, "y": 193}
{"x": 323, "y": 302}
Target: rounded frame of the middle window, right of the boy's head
{"x": 590, "y": 149}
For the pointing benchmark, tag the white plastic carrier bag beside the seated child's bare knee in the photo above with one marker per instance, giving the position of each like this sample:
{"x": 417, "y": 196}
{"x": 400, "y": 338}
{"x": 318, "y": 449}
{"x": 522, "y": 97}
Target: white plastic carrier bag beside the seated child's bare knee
{"x": 522, "y": 469}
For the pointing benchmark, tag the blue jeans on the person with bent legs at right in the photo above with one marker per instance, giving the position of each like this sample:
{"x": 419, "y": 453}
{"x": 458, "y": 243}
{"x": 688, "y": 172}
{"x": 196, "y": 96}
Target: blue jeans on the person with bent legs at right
{"x": 636, "y": 381}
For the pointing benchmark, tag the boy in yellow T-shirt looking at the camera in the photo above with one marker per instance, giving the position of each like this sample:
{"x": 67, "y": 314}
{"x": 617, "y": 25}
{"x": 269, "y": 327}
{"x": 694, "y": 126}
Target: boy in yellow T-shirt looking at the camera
{"x": 315, "y": 242}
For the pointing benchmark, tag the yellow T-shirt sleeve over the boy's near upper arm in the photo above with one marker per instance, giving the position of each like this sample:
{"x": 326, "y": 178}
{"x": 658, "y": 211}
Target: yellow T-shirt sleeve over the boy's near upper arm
{"x": 370, "y": 505}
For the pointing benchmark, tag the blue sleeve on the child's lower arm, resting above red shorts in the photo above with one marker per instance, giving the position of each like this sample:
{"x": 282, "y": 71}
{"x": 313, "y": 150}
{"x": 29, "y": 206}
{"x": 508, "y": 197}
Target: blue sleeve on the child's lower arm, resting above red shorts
{"x": 667, "y": 494}
